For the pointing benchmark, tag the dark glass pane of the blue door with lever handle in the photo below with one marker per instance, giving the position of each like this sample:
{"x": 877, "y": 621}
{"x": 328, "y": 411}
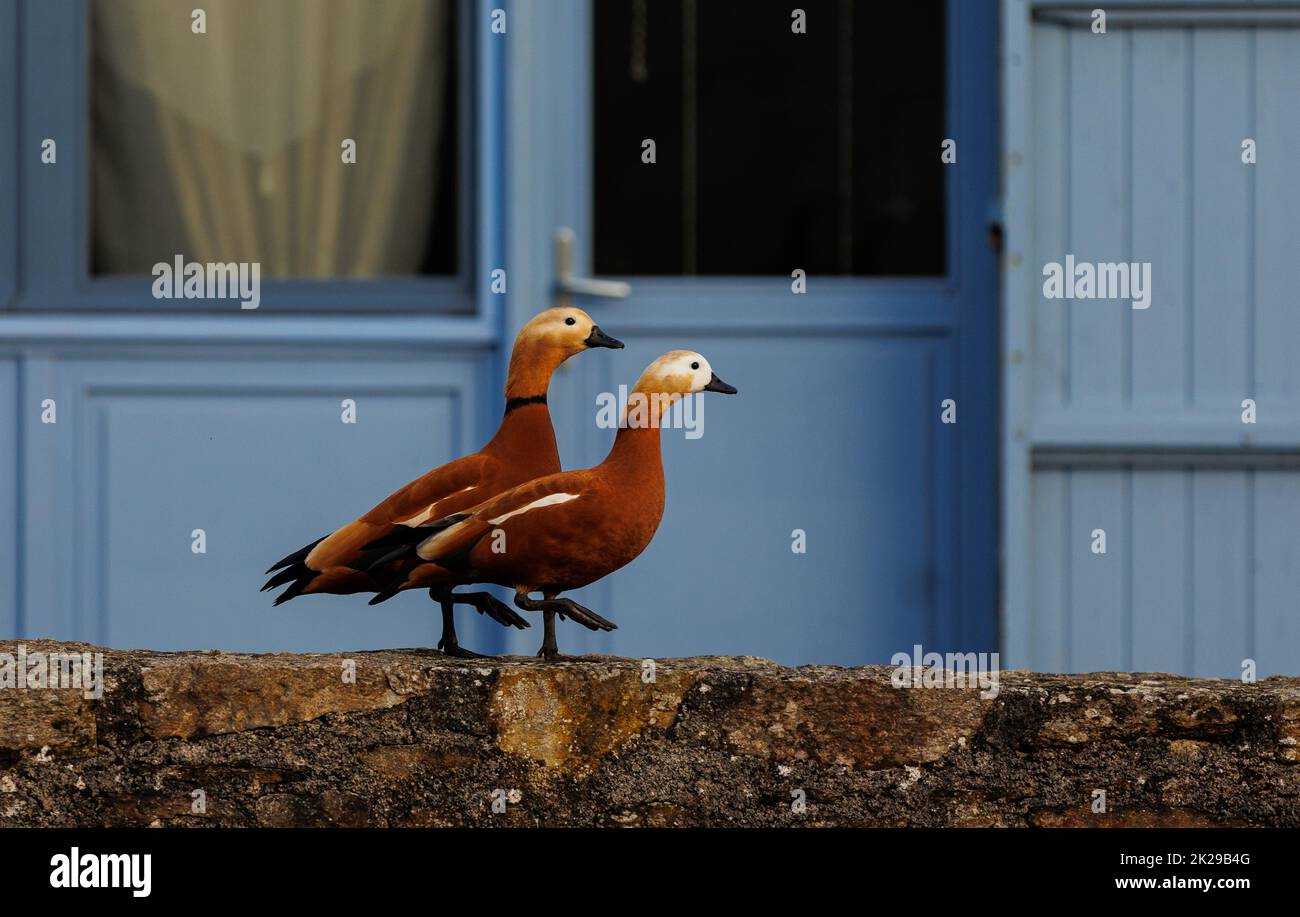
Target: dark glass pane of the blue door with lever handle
{"x": 774, "y": 150}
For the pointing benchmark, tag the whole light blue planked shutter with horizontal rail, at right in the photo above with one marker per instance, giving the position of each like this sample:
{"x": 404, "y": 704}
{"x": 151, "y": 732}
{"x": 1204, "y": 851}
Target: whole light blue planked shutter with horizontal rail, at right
{"x": 1204, "y": 574}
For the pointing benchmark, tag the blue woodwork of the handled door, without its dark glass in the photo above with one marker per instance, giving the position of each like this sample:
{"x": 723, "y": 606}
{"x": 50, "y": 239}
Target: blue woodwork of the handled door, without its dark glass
{"x": 837, "y": 430}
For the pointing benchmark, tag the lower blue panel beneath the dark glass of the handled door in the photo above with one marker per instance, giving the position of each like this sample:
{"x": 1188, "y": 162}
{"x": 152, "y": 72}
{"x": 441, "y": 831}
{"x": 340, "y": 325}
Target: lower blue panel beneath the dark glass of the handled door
{"x": 799, "y": 449}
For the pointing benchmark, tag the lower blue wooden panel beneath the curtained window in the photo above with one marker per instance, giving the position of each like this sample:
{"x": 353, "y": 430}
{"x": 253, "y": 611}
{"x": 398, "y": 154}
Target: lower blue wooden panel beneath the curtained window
{"x": 253, "y": 452}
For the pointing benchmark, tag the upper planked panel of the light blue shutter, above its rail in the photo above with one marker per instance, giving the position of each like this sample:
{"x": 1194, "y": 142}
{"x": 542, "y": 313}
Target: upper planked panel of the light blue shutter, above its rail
{"x": 1110, "y": 189}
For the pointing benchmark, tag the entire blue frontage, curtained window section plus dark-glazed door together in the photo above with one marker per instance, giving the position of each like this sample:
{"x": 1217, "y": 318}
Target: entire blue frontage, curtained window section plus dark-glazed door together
{"x": 796, "y": 223}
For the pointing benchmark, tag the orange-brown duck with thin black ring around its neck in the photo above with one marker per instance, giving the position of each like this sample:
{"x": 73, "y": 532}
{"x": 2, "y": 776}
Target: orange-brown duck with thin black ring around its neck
{"x": 522, "y": 451}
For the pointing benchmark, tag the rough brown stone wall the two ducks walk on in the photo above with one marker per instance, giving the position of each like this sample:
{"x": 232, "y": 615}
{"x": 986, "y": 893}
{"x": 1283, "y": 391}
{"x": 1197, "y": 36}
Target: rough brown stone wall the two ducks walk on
{"x": 413, "y": 738}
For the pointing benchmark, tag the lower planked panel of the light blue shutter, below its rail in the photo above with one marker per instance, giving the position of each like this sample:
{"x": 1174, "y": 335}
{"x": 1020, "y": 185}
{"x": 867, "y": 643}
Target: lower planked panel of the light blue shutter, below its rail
{"x": 1201, "y": 572}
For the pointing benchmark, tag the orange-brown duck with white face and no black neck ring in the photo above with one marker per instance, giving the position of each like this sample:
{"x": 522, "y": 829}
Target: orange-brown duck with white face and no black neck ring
{"x": 567, "y": 530}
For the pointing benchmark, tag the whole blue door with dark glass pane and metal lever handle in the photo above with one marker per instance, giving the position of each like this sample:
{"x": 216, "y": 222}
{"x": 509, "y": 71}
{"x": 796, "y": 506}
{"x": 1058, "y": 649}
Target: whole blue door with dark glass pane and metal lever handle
{"x": 713, "y": 157}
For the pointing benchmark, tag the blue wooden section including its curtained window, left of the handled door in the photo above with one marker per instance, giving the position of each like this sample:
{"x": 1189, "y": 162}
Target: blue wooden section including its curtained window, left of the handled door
{"x": 161, "y": 452}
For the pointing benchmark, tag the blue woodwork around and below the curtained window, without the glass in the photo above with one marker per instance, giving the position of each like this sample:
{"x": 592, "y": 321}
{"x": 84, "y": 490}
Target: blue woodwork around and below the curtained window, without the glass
{"x": 235, "y": 419}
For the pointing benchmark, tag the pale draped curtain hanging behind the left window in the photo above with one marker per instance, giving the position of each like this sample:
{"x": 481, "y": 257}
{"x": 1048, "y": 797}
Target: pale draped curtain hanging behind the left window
{"x": 227, "y": 146}
